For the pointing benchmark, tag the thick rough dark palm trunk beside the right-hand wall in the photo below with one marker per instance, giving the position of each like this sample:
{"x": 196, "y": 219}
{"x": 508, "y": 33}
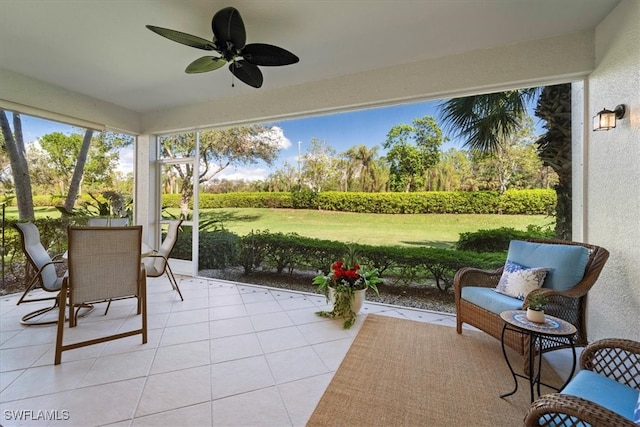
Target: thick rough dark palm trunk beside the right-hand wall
{"x": 554, "y": 149}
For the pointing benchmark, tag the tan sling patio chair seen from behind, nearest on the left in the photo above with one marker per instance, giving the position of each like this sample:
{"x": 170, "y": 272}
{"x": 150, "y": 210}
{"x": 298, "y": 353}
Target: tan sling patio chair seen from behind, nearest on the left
{"x": 104, "y": 265}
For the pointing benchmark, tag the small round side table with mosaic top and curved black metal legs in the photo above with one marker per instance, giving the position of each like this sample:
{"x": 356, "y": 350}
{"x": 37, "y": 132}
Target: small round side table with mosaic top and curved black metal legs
{"x": 553, "y": 329}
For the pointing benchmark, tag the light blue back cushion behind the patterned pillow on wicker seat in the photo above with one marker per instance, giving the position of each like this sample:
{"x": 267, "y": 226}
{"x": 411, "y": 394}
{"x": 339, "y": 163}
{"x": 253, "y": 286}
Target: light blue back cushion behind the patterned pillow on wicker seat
{"x": 566, "y": 262}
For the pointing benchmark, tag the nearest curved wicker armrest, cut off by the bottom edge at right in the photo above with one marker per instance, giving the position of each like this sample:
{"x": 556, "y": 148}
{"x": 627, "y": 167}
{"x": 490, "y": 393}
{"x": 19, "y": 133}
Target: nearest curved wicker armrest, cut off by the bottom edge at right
{"x": 558, "y": 408}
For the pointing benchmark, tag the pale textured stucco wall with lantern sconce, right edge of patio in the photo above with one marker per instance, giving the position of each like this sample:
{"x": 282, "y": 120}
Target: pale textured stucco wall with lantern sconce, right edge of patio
{"x": 612, "y": 187}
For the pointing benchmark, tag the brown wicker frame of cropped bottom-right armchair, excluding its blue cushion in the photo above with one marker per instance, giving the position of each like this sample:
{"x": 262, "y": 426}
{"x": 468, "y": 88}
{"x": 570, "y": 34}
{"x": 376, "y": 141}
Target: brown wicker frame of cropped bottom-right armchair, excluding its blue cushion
{"x": 617, "y": 359}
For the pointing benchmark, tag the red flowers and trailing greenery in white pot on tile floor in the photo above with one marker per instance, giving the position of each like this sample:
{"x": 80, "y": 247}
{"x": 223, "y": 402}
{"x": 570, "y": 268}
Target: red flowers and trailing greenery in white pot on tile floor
{"x": 345, "y": 287}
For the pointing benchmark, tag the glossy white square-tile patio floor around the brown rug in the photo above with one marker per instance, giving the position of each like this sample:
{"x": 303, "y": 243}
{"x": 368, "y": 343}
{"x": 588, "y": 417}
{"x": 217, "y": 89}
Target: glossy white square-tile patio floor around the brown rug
{"x": 230, "y": 354}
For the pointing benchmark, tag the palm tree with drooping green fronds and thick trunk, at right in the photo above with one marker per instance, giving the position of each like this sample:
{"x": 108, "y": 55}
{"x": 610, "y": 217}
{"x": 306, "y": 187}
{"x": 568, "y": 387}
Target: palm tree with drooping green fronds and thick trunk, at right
{"x": 482, "y": 121}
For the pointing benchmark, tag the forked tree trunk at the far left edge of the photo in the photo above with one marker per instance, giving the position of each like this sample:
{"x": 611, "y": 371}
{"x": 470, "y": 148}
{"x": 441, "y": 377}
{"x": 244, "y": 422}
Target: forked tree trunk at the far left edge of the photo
{"x": 19, "y": 166}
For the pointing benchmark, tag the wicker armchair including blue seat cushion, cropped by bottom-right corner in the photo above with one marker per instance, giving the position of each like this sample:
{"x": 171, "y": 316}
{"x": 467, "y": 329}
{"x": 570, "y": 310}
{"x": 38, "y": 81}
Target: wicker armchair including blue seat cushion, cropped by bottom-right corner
{"x": 604, "y": 393}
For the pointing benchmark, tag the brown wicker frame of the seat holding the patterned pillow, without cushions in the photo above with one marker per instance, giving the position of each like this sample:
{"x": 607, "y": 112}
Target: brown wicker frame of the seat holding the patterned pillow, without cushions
{"x": 569, "y": 305}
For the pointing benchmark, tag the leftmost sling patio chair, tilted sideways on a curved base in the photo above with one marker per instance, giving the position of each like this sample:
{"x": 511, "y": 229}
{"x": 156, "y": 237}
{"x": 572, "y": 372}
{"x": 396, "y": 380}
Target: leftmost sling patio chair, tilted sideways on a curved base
{"x": 40, "y": 271}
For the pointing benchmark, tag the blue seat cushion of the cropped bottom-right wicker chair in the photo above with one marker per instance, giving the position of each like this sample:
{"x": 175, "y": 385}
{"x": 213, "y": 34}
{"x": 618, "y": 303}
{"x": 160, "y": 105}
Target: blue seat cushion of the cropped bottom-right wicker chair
{"x": 604, "y": 391}
